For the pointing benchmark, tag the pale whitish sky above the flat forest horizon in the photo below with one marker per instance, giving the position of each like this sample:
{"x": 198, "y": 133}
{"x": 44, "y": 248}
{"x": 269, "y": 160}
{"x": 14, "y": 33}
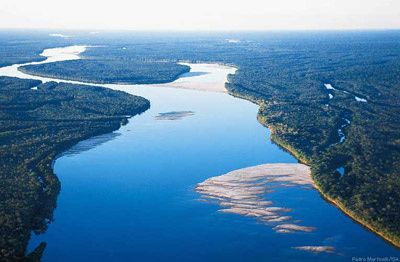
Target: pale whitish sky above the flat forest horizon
{"x": 201, "y": 15}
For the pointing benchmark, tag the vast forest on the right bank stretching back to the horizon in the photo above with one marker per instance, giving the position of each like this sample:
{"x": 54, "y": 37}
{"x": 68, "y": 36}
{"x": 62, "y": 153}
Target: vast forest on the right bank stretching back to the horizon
{"x": 285, "y": 73}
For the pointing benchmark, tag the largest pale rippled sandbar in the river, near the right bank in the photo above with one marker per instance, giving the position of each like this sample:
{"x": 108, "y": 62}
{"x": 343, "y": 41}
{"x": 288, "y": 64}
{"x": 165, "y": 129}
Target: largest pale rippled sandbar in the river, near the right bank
{"x": 244, "y": 192}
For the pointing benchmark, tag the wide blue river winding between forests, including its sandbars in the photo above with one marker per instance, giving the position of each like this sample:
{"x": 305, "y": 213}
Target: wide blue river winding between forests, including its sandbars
{"x": 194, "y": 178}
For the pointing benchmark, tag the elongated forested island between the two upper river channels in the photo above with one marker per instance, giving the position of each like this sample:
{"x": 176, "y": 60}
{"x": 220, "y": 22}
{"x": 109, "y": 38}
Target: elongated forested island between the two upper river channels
{"x": 121, "y": 71}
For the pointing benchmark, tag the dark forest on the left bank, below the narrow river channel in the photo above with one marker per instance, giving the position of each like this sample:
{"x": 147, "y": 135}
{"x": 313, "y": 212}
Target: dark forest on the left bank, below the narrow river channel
{"x": 35, "y": 126}
